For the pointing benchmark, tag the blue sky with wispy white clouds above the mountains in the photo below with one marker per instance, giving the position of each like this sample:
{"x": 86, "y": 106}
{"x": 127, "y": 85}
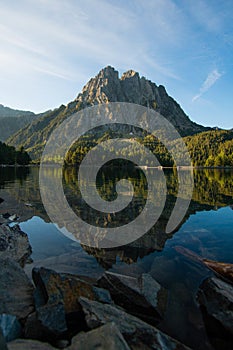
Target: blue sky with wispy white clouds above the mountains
{"x": 51, "y": 48}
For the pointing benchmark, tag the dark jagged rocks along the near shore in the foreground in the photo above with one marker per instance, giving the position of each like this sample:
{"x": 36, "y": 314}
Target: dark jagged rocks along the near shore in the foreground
{"x": 62, "y": 310}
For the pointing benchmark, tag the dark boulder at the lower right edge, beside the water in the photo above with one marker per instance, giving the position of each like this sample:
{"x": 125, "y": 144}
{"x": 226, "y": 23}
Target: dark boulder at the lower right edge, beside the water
{"x": 216, "y": 299}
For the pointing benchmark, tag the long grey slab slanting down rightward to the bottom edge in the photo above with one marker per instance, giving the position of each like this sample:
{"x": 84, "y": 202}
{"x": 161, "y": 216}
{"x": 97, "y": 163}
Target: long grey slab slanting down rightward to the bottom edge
{"x": 138, "y": 334}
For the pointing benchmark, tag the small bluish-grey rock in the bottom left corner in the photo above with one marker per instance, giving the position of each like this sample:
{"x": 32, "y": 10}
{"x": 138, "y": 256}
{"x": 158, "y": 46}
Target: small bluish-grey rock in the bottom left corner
{"x": 11, "y": 328}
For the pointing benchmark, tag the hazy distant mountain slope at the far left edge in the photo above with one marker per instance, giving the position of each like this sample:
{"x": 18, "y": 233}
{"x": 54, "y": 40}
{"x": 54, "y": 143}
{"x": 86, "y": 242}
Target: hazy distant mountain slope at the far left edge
{"x": 12, "y": 120}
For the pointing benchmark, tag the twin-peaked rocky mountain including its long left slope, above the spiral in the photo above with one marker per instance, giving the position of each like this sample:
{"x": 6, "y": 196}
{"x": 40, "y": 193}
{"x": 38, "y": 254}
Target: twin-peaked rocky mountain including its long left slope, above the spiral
{"x": 106, "y": 87}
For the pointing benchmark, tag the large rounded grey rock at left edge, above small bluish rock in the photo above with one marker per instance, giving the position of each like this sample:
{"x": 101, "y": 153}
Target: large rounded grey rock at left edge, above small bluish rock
{"x": 16, "y": 290}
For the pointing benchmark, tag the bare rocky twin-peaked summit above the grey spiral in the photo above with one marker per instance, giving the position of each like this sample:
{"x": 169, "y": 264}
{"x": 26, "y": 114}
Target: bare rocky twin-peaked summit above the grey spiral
{"x": 130, "y": 87}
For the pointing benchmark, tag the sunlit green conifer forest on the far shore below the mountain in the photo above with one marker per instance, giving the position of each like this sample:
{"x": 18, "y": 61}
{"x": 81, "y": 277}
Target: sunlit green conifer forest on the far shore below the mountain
{"x": 207, "y": 149}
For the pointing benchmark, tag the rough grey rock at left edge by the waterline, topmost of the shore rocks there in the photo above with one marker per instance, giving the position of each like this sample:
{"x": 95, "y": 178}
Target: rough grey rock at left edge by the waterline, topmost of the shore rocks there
{"x": 14, "y": 243}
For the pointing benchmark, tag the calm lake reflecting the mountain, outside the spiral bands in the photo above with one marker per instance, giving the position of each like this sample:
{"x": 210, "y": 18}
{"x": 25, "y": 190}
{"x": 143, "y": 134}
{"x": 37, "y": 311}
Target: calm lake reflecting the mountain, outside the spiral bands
{"x": 206, "y": 229}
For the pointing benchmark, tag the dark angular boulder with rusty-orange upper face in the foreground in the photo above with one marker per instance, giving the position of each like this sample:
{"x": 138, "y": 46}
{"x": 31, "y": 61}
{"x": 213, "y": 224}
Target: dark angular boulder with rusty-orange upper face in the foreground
{"x": 58, "y": 312}
